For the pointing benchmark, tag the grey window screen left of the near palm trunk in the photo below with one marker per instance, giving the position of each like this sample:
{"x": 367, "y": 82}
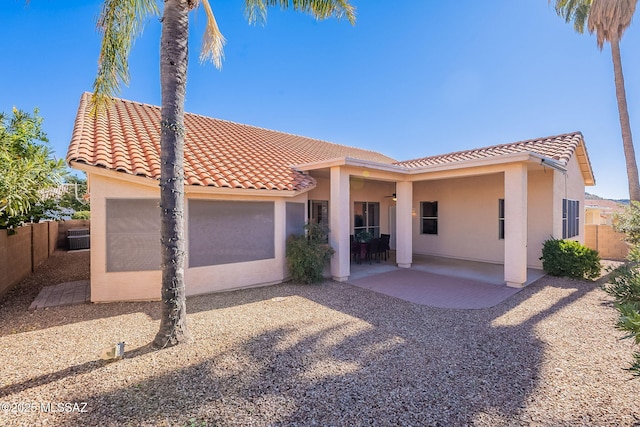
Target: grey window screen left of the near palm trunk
{"x": 133, "y": 235}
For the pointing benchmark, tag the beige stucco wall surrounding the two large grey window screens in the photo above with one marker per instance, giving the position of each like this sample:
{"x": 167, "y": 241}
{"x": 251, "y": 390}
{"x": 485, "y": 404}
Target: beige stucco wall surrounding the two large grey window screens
{"x": 145, "y": 285}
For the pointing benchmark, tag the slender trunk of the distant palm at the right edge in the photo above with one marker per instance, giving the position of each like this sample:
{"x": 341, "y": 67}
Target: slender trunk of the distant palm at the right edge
{"x": 627, "y": 140}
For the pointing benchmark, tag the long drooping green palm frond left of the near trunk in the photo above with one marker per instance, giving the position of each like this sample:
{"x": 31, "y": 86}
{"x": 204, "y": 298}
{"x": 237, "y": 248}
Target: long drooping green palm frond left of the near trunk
{"x": 120, "y": 21}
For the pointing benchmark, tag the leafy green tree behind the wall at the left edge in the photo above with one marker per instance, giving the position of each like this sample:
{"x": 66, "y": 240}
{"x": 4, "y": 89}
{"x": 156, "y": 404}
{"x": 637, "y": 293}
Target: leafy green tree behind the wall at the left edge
{"x": 27, "y": 167}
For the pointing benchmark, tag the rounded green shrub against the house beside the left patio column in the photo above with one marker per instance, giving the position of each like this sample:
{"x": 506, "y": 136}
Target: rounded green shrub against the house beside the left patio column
{"x": 307, "y": 254}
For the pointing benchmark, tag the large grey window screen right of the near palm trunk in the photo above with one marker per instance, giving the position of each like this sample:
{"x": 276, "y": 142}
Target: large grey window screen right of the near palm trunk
{"x": 225, "y": 232}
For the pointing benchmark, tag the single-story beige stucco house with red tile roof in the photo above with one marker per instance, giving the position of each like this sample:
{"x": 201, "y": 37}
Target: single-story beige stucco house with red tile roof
{"x": 248, "y": 188}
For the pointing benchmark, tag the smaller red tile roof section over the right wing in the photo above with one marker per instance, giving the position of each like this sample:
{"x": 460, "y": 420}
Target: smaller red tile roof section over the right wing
{"x": 559, "y": 148}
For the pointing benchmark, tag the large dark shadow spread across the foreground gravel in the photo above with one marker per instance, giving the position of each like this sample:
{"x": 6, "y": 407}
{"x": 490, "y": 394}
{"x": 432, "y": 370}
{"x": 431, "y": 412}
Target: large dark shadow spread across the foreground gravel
{"x": 408, "y": 365}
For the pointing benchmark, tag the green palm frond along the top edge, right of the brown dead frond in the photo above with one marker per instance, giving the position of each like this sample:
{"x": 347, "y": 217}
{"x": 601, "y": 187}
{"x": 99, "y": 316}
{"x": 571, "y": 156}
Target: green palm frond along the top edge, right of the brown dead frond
{"x": 256, "y": 10}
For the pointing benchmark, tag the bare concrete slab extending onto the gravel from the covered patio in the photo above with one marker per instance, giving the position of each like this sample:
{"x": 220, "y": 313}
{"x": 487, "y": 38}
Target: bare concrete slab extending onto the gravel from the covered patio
{"x": 435, "y": 290}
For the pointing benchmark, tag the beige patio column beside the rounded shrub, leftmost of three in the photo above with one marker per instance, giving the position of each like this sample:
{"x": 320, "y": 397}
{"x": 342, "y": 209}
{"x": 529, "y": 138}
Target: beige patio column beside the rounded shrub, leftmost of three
{"x": 339, "y": 221}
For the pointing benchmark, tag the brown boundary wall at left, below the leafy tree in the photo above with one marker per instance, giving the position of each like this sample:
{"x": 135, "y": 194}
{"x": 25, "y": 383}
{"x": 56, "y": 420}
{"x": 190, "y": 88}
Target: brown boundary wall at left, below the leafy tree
{"x": 21, "y": 253}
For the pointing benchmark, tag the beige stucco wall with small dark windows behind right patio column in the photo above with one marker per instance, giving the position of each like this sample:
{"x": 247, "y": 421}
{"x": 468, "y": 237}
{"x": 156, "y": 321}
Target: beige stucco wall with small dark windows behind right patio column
{"x": 468, "y": 216}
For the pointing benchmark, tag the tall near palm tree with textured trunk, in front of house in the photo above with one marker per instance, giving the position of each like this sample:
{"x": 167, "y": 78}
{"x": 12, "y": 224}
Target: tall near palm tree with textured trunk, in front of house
{"x": 121, "y": 21}
